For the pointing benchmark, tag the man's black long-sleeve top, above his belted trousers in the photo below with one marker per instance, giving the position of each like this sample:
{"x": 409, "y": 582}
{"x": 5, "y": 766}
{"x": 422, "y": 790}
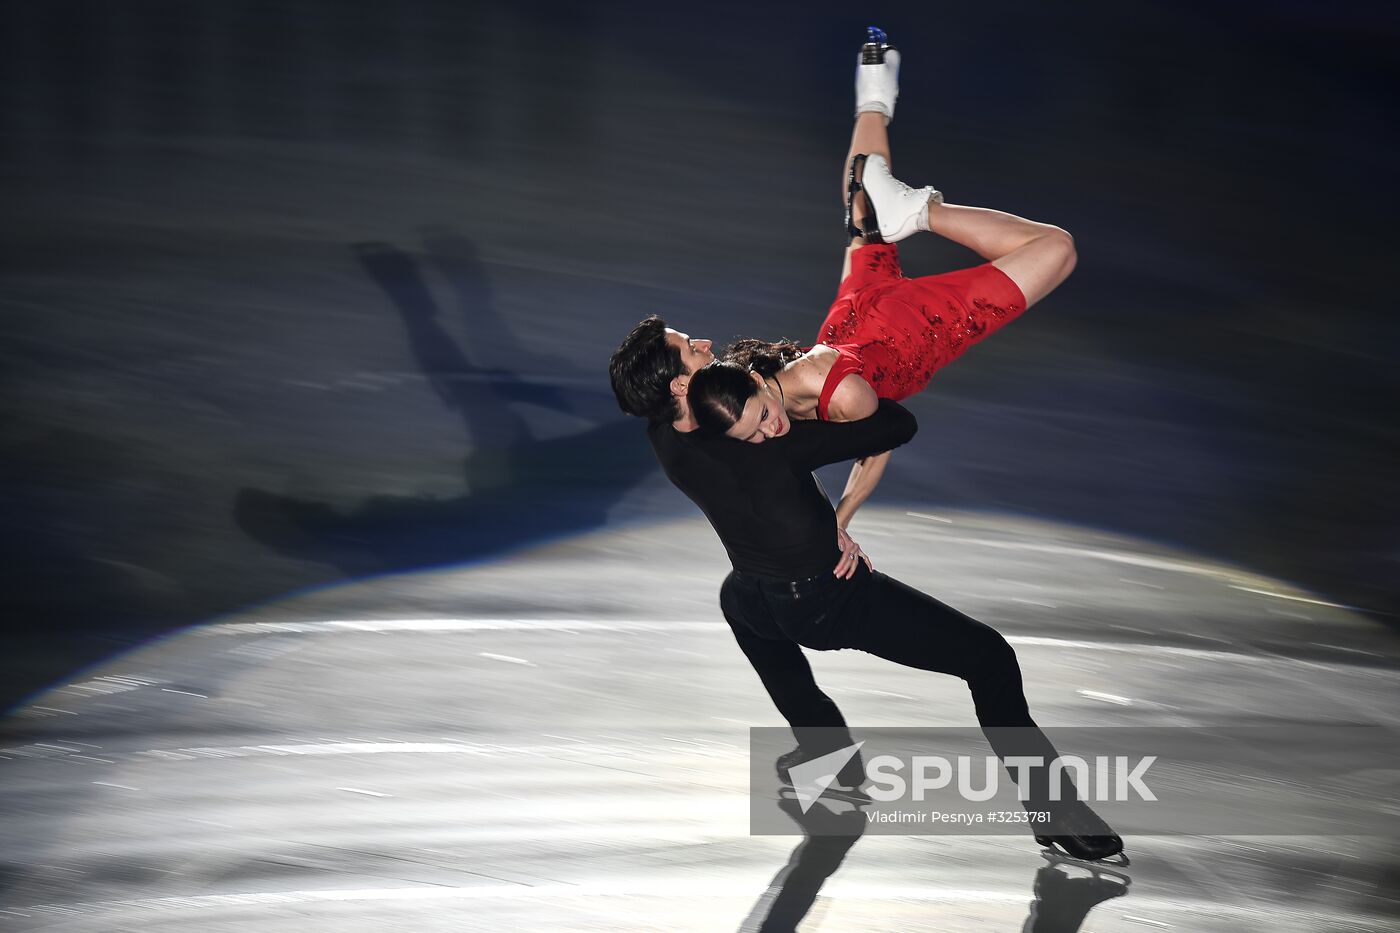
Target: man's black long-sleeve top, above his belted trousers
{"x": 762, "y": 499}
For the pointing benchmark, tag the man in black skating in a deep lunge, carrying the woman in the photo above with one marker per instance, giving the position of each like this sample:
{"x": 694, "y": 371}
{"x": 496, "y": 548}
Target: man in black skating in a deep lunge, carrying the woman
{"x": 780, "y": 533}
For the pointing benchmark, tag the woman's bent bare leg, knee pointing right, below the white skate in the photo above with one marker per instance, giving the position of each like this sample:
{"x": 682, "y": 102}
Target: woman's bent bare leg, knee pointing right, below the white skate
{"x": 1037, "y": 257}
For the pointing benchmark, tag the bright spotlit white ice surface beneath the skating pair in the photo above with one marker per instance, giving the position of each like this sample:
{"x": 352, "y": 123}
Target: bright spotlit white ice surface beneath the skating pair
{"x": 398, "y": 754}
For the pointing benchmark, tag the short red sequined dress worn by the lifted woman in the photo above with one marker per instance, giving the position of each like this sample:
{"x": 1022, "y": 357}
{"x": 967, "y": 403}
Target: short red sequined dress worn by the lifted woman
{"x": 897, "y": 333}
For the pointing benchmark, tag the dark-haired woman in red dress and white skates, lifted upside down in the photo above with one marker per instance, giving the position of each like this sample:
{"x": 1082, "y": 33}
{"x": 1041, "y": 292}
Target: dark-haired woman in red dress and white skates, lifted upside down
{"x": 885, "y": 336}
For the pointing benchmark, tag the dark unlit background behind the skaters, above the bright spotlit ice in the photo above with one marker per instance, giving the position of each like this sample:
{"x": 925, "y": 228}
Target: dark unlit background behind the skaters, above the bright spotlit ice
{"x": 302, "y": 292}
